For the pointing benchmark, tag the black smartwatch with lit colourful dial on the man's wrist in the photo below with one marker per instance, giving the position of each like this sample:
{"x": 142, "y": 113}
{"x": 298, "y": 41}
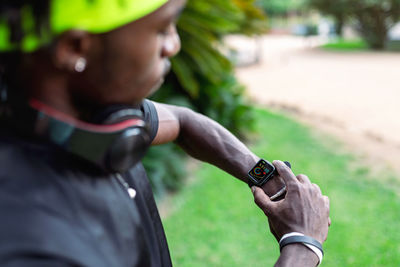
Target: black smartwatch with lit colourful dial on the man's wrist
{"x": 262, "y": 172}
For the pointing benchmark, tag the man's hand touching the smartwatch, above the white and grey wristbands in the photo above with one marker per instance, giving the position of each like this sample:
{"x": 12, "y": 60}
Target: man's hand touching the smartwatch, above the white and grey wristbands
{"x": 304, "y": 209}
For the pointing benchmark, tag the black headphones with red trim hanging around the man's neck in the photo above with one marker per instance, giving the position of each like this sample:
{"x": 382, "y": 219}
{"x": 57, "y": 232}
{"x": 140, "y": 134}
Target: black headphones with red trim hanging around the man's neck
{"x": 116, "y": 143}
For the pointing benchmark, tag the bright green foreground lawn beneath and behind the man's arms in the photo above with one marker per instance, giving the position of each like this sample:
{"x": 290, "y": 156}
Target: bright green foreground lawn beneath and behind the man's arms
{"x": 214, "y": 221}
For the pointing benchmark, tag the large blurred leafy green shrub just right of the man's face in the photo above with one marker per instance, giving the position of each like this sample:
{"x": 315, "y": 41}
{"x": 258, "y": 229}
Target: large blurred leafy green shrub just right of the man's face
{"x": 202, "y": 77}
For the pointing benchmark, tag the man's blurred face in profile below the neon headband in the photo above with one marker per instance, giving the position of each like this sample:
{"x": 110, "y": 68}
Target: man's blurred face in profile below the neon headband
{"x": 131, "y": 62}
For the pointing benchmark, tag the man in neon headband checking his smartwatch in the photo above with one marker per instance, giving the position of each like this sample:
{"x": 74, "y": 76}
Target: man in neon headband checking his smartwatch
{"x": 75, "y": 123}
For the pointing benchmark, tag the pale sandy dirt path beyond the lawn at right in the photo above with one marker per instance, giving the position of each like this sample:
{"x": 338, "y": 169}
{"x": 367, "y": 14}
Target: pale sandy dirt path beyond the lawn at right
{"x": 354, "y": 96}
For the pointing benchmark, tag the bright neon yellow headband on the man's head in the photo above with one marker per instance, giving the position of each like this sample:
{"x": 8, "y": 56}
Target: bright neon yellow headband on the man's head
{"x": 95, "y": 16}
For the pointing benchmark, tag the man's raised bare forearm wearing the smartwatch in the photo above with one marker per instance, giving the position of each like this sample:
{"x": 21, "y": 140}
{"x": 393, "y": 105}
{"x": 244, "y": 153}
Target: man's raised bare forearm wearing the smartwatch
{"x": 206, "y": 140}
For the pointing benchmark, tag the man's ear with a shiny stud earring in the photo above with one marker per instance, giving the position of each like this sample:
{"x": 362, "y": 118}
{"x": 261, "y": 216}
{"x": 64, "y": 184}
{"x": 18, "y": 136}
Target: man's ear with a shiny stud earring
{"x": 71, "y": 50}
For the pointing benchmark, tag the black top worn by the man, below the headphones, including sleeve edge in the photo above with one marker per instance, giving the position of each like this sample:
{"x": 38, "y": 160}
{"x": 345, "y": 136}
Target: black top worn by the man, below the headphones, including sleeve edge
{"x": 59, "y": 211}
